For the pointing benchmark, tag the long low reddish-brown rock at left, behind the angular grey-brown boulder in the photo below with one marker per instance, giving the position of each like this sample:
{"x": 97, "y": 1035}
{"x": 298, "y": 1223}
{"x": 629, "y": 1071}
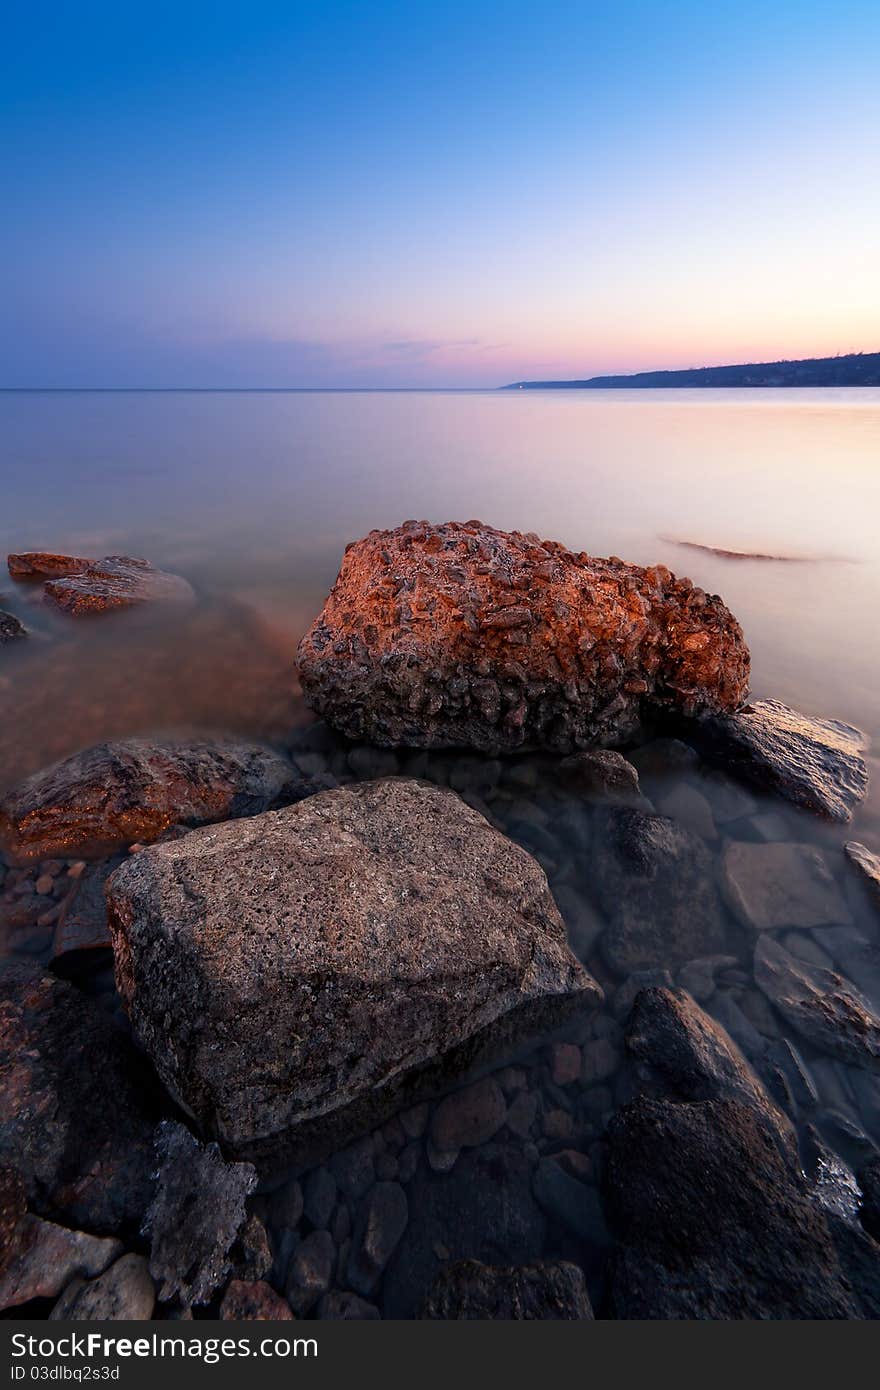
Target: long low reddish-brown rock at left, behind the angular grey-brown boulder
{"x": 133, "y": 790}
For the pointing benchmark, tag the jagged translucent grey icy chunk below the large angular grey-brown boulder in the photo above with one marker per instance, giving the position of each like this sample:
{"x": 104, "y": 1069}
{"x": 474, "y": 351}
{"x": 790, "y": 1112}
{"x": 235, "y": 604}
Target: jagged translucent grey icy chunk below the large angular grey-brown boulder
{"x": 197, "y": 1216}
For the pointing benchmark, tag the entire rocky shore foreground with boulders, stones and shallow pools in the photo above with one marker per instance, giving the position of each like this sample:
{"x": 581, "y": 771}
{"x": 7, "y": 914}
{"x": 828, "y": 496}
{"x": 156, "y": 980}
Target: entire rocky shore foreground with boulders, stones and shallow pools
{"x": 364, "y": 1025}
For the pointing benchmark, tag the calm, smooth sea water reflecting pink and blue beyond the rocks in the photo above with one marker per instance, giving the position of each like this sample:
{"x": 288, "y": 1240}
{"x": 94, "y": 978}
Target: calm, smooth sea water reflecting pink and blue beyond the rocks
{"x": 254, "y": 497}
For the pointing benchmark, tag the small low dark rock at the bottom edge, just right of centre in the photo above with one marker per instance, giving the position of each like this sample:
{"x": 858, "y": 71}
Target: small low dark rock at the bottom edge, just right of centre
{"x": 555, "y": 1291}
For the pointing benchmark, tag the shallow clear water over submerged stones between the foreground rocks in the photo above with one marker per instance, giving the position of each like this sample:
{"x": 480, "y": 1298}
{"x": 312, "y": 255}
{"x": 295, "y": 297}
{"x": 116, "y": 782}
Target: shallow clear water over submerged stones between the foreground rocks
{"x": 508, "y": 1168}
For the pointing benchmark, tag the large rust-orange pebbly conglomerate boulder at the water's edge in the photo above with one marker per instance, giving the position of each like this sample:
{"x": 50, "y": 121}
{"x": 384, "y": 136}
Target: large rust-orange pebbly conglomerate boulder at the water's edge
{"x": 458, "y": 635}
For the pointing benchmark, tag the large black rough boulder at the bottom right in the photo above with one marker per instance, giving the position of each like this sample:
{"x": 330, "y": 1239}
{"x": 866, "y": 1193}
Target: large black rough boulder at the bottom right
{"x": 714, "y": 1223}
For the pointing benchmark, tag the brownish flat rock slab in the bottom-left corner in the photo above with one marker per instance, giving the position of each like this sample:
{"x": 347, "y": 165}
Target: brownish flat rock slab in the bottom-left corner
{"x": 48, "y": 1257}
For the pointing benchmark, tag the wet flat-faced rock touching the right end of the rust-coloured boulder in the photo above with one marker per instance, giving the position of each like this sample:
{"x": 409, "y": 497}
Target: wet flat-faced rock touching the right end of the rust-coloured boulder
{"x": 817, "y": 764}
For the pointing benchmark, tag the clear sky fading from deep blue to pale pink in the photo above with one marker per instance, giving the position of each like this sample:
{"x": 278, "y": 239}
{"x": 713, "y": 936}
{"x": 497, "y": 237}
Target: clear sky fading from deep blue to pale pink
{"x": 433, "y": 195}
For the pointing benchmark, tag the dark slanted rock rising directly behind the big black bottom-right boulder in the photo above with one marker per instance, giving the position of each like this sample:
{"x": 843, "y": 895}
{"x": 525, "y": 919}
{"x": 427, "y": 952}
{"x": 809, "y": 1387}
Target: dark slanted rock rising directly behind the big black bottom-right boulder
{"x": 694, "y": 1060}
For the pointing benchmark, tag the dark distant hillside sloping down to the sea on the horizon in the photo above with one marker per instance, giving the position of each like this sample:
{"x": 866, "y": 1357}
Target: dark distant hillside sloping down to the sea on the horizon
{"x": 856, "y": 369}
